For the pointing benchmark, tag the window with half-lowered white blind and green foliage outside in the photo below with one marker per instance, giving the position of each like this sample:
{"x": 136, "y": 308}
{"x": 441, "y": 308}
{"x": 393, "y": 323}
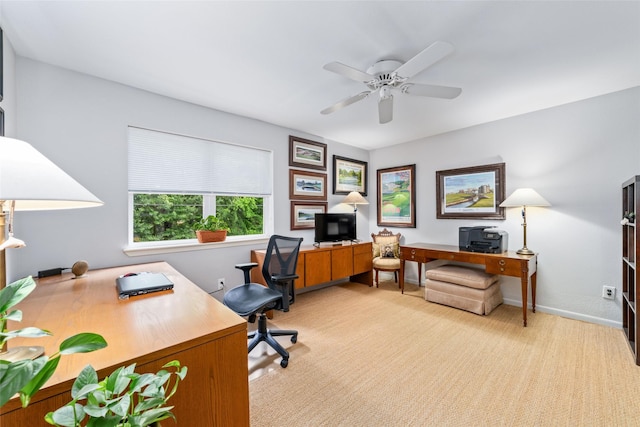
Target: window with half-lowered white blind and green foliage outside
{"x": 175, "y": 180}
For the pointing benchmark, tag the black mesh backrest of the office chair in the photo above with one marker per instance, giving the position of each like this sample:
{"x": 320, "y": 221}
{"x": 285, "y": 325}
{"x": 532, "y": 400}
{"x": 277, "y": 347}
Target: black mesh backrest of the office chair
{"x": 281, "y": 257}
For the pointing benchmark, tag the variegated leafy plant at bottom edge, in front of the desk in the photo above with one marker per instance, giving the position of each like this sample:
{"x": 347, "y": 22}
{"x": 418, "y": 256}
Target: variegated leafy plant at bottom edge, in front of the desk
{"x": 124, "y": 399}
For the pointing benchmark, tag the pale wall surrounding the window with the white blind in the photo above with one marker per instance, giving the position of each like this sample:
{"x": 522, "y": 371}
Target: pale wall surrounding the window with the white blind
{"x": 80, "y": 123}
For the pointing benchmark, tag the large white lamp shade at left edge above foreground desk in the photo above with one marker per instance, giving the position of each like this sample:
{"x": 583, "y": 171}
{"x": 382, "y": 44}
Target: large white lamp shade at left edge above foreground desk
{"x": 35, "y": 183}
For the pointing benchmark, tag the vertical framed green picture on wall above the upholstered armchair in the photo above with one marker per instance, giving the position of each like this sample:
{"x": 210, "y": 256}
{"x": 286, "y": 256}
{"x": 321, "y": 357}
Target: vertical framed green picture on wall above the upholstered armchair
{"x": 397, "y": 196}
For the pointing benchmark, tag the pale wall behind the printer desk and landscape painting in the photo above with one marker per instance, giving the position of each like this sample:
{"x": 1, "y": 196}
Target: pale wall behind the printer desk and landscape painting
{"x": 576, "y": 156}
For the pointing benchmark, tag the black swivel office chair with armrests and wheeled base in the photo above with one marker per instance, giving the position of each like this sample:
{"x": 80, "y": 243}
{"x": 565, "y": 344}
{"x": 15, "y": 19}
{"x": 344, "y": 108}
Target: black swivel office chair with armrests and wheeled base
{"x": 253, "y": 299}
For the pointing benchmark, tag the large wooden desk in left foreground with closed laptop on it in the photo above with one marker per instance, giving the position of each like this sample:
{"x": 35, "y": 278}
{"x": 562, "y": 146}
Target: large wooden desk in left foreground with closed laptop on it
{"x": 184, "y": 324}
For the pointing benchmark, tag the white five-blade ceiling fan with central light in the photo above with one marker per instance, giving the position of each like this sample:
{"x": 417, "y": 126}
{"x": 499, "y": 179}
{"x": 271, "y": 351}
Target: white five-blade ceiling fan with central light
{"x": 387, "y": 75}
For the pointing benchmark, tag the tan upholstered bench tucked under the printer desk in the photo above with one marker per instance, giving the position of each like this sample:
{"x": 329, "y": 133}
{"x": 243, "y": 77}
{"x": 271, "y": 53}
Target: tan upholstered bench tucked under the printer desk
{"x": 464, "y": 288}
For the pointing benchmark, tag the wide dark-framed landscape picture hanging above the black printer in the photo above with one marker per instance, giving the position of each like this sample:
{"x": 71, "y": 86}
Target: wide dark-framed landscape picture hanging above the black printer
{"x": 458, "y": 190}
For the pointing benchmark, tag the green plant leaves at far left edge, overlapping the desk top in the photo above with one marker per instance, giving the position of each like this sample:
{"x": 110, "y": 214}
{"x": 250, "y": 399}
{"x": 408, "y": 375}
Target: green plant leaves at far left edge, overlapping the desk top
{"x": 26, "y": 377}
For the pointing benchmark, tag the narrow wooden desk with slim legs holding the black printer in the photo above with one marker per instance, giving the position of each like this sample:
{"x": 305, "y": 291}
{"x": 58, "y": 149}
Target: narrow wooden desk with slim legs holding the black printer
{"x": 506, "y": 264}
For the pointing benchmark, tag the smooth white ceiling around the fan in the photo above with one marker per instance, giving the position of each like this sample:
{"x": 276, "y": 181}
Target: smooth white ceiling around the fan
{"x": 264, "y": 59}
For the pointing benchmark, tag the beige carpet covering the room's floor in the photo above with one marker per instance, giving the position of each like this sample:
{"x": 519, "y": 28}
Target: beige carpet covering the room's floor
{"x": 374, "y": 357}
